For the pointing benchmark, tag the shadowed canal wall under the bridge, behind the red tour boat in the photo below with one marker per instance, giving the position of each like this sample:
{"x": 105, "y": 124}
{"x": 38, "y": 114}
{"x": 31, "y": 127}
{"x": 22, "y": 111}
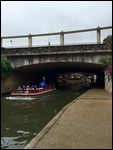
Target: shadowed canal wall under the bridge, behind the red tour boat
{"x": 17, "y": 79}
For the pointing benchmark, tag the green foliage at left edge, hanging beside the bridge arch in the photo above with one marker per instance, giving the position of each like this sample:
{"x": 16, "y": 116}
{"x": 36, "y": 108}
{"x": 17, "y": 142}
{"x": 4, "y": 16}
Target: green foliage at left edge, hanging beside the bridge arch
{"x": 6, "y": 68}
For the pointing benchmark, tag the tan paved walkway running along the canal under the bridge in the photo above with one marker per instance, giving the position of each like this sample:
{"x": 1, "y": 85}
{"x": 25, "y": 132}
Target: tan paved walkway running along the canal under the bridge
{"x": 85, "y": 123}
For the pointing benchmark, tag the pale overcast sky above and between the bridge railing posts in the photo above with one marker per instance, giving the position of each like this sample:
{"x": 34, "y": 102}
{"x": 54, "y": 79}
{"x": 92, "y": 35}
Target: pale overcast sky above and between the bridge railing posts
{"x": 38, "y": 17}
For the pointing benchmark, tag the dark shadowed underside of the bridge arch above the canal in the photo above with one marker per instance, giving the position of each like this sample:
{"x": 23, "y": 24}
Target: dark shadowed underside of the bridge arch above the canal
{"x": 51, "y": 70}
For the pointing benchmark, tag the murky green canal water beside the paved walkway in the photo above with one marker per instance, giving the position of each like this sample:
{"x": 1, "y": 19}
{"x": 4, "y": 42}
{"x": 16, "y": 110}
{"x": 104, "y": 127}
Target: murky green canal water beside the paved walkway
{"x": 22, "y": 120}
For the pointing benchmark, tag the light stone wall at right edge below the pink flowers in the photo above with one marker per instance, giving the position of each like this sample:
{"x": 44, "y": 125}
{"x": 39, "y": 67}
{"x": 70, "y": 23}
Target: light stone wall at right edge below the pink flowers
{"x": 108, "y": 83}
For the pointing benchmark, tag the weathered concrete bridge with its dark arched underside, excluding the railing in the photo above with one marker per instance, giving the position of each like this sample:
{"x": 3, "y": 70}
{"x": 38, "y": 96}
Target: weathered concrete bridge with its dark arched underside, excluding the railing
{"x": 30, "y": 64}
